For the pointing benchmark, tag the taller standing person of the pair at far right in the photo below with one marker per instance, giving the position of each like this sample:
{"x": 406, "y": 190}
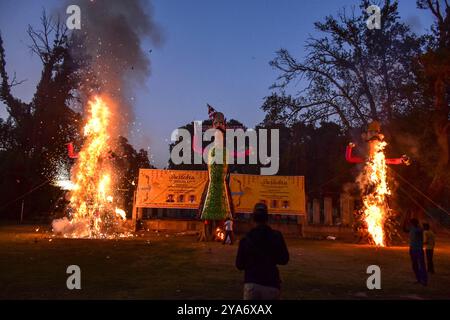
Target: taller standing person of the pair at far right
{"x": 416, "y": 252}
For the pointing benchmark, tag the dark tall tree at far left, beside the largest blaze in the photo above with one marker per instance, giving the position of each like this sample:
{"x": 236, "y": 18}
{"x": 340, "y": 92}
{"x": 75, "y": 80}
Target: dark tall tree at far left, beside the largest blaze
{"x": 37, "y": 132}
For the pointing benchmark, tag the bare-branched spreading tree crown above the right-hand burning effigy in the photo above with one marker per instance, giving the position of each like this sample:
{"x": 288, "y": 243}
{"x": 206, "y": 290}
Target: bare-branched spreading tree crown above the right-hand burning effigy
{"x": 351, "y": 73}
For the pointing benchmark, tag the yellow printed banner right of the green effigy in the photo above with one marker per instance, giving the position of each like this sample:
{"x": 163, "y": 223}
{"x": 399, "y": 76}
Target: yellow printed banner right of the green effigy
{"x": 281, "y": 194}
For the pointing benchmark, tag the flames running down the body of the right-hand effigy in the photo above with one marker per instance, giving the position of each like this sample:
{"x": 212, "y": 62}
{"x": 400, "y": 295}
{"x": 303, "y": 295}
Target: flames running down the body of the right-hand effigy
{"x": 375, "y": 206}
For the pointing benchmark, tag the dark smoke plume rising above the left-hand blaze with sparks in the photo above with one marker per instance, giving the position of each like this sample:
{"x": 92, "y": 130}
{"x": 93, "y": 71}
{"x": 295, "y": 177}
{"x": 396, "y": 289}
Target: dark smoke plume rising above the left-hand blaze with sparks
{"x": 115, "y": 35}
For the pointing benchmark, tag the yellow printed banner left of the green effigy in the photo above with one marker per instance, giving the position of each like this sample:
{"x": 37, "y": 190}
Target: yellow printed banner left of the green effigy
{"x": 178, "y": 189}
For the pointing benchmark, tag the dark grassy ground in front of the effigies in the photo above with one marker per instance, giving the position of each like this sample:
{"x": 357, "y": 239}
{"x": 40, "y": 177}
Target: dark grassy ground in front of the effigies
{"x": 168, "y": 266}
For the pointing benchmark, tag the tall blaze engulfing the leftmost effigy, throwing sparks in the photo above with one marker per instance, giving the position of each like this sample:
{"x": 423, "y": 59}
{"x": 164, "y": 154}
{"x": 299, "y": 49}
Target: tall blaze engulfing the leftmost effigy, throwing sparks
{"x": 92, "y": 212}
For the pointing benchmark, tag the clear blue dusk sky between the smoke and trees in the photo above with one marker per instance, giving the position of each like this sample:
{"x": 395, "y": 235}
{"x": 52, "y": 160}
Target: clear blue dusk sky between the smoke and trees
{"x": 214, "y": 51}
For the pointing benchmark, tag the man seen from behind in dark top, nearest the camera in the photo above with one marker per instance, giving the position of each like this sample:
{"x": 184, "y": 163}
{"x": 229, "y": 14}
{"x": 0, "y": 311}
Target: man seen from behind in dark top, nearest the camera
{"x": 259, "y": 253}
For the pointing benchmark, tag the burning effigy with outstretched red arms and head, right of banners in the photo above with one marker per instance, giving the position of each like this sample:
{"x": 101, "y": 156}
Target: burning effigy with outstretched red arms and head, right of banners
{"x": 373, "y": 183}
